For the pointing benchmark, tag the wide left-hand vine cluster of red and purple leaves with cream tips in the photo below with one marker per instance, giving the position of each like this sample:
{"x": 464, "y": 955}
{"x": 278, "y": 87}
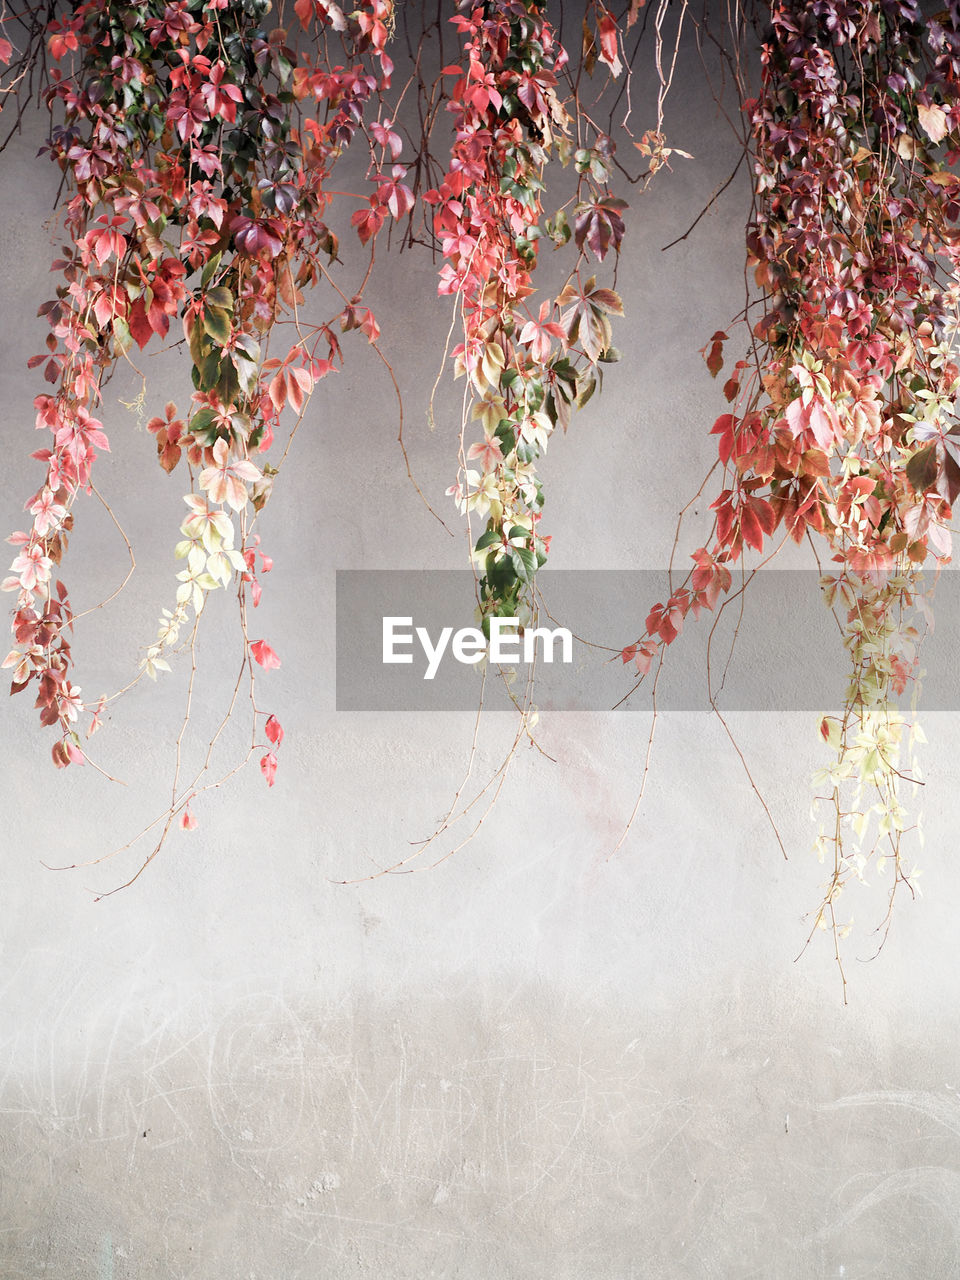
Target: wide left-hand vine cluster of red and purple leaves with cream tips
{"x": 196, "y": 145}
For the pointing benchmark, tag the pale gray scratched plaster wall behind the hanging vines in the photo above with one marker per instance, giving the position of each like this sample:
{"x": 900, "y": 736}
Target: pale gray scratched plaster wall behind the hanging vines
{"x": 529, "y": 1060}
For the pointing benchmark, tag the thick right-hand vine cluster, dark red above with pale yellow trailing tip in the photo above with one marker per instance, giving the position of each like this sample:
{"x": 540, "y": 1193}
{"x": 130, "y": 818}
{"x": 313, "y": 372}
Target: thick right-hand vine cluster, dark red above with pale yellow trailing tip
{"x": 843, "y": 426}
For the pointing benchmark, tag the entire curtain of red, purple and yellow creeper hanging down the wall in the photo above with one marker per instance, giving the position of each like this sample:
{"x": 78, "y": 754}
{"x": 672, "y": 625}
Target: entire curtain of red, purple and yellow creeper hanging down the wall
{"x": 196, "y": 144}
